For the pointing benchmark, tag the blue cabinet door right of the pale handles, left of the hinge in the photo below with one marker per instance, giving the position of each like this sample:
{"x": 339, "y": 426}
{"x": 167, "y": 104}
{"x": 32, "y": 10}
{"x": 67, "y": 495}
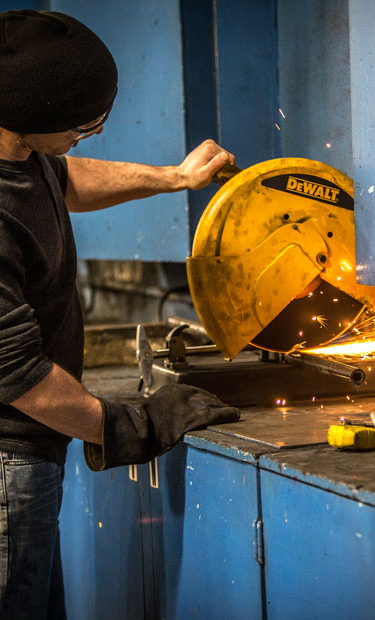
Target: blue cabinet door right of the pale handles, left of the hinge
{"x": 203, "y": 537}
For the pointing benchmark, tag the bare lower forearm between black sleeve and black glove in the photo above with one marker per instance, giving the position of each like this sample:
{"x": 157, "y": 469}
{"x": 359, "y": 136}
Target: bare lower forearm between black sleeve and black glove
{"x": 62, "y": 403}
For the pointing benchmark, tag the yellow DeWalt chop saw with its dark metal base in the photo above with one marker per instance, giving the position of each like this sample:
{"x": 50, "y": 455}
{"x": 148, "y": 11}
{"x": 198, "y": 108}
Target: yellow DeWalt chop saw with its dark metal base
{"x": 272, "y": 273}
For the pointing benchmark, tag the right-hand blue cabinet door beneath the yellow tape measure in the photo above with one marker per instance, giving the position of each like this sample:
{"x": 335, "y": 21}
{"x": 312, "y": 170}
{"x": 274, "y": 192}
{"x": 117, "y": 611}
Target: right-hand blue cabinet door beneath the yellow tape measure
{"x": 319, "y": 552}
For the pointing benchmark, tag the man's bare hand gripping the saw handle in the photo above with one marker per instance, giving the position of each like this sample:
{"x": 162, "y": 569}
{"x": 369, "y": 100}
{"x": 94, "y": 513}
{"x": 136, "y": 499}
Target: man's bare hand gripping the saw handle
{"x": 202, "y": 163}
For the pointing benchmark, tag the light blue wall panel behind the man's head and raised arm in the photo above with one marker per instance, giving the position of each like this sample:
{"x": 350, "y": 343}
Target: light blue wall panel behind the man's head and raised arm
{"x": 146, "y": 125}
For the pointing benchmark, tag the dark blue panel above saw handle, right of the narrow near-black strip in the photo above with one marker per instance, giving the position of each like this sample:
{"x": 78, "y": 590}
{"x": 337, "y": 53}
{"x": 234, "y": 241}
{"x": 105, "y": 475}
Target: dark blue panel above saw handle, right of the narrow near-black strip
{"x": 246, "y": 46}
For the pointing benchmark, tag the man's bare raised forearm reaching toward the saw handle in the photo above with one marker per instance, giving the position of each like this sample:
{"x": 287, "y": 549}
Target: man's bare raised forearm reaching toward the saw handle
{"x": 95, "y": 184}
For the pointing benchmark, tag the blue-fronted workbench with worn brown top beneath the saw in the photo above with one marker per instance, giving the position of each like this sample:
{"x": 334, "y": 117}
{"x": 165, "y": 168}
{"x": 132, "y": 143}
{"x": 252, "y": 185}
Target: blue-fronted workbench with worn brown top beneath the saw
{"x": 221, "y": 527}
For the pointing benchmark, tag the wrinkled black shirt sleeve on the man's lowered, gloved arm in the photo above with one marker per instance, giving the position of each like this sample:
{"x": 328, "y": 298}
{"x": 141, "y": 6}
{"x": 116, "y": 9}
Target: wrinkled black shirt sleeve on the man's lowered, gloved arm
{"x": 22, "y": 361}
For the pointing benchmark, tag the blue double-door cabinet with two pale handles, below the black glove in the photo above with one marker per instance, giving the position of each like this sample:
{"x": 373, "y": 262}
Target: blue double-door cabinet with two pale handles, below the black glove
{"x": 173, "y": 540}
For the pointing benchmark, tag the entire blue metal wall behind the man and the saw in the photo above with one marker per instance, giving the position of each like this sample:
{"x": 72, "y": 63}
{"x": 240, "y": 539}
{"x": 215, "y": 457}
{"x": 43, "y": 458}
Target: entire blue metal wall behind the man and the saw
{"x": 266, "y": 79}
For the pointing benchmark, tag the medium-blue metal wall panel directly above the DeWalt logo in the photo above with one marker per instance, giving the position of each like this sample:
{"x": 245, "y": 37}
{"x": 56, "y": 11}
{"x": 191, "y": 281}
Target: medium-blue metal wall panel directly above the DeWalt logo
{"x": 314, "y": 118}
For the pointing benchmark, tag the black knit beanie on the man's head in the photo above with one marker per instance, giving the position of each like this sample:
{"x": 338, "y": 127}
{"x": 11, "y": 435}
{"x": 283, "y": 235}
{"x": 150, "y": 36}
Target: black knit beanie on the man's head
{"x": 55, "y": 73}
